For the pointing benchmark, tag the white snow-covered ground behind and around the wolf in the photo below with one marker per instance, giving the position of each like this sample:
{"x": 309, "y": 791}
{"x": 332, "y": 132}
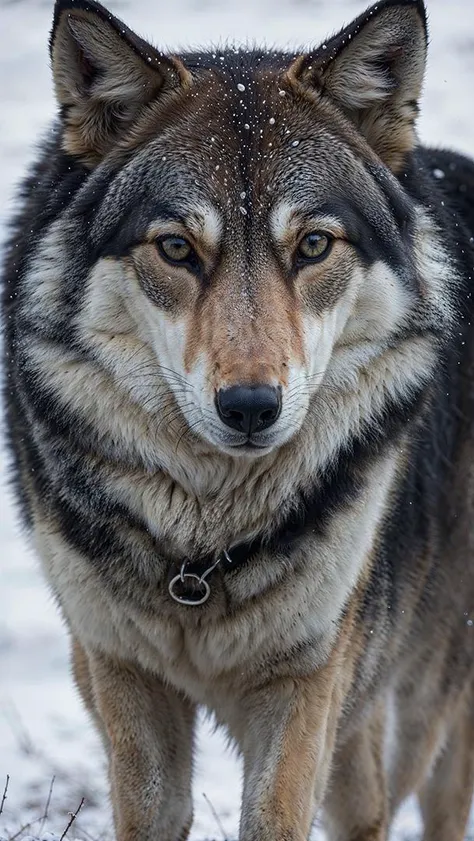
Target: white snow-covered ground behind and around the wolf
{"x": 44, "y": 734}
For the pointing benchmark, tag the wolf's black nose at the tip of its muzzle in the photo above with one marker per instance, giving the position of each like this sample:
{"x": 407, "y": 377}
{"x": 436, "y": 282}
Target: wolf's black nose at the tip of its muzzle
{"x": 249, "y": 408}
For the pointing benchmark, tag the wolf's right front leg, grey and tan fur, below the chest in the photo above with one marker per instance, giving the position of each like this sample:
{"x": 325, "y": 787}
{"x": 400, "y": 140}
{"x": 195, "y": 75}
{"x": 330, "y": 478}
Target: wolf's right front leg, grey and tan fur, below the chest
{"x": 287, "y": 746}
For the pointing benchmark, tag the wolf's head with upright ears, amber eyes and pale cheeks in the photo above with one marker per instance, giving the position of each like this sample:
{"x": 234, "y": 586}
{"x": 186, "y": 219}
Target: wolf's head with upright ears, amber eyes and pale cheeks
{"x": 249, "y": 244}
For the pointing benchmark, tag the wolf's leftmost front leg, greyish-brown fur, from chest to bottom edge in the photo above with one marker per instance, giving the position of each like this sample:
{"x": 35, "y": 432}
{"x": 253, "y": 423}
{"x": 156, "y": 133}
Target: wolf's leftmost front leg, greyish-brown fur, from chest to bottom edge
{"x": 149, "y": 731}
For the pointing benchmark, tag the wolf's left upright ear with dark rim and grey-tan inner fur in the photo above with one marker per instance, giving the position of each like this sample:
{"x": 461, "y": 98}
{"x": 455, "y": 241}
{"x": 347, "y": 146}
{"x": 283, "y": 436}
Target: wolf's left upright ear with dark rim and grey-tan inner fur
{"x": 104, "y": 76}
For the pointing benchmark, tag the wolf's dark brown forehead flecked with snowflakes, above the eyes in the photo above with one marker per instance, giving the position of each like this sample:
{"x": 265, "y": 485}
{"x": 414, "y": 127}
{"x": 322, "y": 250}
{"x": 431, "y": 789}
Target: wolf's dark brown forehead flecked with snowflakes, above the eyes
{"x": 220, "y": 174}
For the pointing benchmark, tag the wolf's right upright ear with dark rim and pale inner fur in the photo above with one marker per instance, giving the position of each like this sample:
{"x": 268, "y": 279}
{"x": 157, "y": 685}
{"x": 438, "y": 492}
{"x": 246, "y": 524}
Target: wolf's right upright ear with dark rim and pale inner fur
{"x": 374, "y": 71}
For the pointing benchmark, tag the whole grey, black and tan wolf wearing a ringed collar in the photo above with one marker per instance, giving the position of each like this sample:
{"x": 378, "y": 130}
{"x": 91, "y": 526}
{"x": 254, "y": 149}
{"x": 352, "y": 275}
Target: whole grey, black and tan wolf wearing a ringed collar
{"x": 239, "y": 383}
